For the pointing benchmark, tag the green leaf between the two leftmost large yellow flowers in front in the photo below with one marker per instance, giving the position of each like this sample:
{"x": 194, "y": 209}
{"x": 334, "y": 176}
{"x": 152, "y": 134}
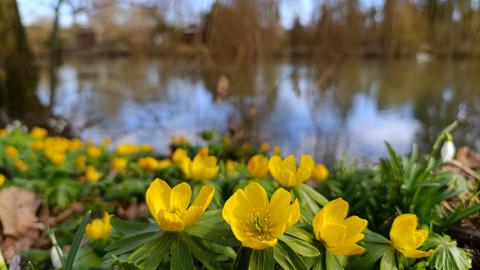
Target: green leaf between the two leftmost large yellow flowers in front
{"x": 212, "y": 227}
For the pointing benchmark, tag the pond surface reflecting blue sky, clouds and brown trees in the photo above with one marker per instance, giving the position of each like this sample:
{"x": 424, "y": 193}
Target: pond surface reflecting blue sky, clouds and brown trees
{"x": 362, "y": 105}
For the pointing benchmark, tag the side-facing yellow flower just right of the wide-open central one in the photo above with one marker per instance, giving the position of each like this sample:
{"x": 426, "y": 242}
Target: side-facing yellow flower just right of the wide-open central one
{"x": 339, "y": 234}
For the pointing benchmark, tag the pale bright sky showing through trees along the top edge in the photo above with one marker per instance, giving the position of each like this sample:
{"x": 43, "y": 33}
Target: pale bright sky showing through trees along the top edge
{"x": 31, "y": 10}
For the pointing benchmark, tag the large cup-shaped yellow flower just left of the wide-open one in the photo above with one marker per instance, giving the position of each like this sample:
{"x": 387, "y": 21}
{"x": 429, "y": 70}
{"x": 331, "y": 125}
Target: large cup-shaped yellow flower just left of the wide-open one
{"x": 170, "y": 207}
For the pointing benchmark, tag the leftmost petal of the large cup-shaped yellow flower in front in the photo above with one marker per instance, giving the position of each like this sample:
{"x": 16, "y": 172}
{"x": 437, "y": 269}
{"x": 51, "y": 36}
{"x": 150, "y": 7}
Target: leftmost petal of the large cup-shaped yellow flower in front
{"x": 158, "y": 196}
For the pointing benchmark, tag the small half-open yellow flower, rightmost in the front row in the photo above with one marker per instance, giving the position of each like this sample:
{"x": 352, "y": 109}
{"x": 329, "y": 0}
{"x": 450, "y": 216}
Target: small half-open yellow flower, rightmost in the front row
{"x": 406, "y": 238}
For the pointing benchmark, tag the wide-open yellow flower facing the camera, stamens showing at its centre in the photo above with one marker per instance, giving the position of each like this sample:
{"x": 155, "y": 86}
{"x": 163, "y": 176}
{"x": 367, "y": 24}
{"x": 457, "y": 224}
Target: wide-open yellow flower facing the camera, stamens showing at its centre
{"x": 255, "y": 221}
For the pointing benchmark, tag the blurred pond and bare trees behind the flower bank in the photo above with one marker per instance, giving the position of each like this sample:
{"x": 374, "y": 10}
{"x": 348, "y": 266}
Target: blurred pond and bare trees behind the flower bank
{"x": 331, "y": 78}
